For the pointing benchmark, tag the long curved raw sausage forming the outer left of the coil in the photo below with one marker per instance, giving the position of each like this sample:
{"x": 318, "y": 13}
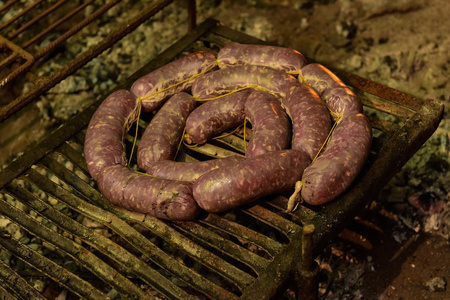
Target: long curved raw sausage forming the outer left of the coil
{"x": 106, "y": 159}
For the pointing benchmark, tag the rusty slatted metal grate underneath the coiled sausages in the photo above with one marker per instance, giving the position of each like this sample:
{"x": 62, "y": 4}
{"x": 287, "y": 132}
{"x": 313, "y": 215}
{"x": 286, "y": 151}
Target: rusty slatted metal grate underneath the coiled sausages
{"x": 247, "y": 253}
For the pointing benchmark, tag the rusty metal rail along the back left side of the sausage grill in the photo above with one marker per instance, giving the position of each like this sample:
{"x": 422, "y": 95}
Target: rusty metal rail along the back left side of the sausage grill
{"x": 78, "y": 122}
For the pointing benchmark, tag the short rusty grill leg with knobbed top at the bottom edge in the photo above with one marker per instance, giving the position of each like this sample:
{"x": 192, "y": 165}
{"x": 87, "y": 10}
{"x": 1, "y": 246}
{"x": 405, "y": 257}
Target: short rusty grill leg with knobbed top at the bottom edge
{"x": 305, "y": 273}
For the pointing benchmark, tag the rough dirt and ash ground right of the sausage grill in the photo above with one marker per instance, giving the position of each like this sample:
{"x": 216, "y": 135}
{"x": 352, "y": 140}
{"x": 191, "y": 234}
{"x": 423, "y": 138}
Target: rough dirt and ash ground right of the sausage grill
{"x": 404, "y": 45}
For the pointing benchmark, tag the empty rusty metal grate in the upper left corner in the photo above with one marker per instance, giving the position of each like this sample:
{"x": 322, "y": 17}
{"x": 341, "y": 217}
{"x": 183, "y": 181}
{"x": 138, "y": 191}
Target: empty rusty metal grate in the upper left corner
{"x": 20, "y": 36}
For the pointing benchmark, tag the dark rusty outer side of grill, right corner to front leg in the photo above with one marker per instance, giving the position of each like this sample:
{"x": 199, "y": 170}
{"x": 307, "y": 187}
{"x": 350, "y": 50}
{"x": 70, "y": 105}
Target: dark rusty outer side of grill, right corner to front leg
{"x": 394, "y": 154}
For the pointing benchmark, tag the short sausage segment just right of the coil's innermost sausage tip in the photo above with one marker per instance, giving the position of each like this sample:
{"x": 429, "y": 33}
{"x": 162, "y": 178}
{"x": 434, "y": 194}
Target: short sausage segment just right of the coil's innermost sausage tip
{"x": 270, "y": 124}
